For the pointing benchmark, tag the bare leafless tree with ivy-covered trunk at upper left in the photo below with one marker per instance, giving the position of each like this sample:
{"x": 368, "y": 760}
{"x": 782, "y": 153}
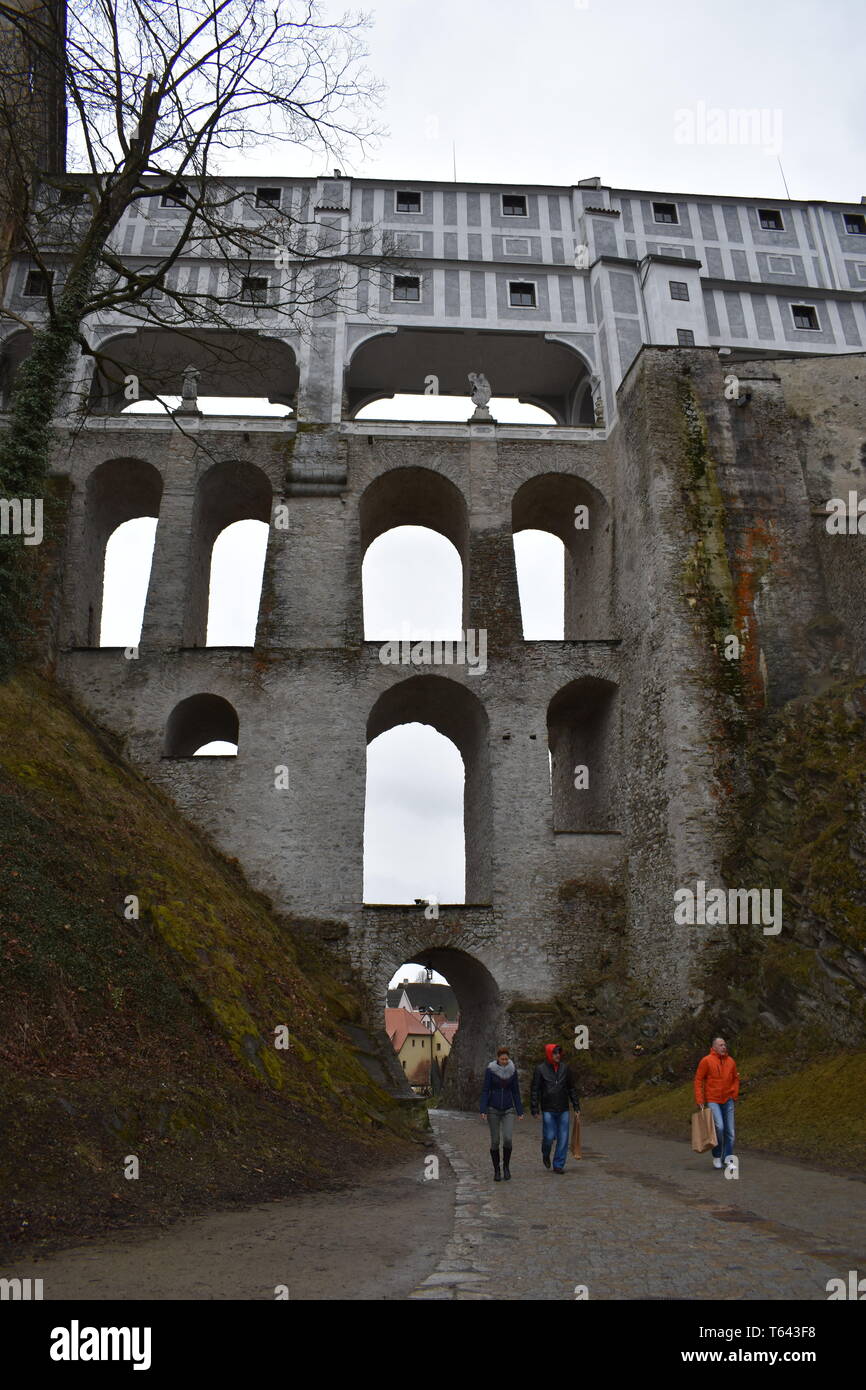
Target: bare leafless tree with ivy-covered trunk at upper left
{"x": 159, "y": 97}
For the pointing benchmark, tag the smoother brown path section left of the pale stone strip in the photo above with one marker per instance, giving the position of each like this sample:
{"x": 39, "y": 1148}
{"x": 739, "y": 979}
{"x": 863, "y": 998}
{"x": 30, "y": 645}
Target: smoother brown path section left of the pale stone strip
{"x": 375, "y": 1242}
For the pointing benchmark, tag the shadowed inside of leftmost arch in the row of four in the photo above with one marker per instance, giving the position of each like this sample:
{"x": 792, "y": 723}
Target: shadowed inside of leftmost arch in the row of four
{"x": 117, "y": 491}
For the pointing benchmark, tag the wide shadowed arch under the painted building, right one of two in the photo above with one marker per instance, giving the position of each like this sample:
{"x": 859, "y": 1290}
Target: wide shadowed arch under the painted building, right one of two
{"x": 526, "y": 366}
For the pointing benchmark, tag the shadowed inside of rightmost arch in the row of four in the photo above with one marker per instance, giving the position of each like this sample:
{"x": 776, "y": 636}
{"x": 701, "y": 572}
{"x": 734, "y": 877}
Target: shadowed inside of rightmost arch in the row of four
{"x": 548, "y": 502}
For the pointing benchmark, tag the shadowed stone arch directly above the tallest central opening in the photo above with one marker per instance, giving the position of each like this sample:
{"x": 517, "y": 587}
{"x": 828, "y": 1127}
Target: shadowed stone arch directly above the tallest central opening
{"x": 416, "y": 497}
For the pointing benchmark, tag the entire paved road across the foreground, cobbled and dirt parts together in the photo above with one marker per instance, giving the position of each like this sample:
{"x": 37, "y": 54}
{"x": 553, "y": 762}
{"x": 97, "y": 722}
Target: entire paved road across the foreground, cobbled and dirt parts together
{"x": 636, "y": 1218}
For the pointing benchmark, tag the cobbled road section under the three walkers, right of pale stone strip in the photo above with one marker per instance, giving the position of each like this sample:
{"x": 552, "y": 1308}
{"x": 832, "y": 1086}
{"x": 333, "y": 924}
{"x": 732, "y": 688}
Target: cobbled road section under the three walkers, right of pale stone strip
{"x": 642, "y": 1218}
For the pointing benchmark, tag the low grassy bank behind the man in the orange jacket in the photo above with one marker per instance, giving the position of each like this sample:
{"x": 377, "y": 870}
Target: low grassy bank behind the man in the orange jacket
{"x": 812, "y": 1114}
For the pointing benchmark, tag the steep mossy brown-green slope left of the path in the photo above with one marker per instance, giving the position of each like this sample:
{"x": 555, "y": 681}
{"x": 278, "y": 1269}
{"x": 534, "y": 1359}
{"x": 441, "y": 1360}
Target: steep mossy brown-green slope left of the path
{"x": 152, "y": 1038}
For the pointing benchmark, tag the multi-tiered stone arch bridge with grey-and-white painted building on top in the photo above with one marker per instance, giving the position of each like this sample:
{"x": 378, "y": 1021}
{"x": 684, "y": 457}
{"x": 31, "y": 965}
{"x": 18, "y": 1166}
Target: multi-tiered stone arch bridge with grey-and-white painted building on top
{"x": 705, "y": 393}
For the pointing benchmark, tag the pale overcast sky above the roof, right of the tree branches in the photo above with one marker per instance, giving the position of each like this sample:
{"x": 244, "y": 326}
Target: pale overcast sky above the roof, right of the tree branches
{"x": 561, "y": 91}
